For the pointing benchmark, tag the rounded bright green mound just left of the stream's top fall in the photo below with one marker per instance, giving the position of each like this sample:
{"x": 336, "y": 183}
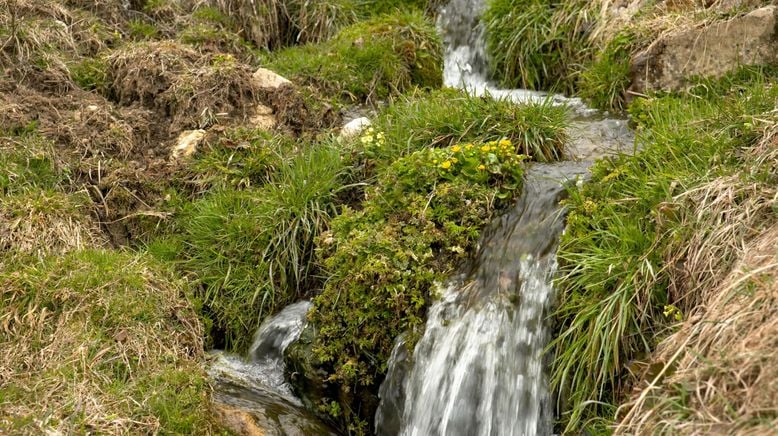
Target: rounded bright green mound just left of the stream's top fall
{"x": 368, "y": 61}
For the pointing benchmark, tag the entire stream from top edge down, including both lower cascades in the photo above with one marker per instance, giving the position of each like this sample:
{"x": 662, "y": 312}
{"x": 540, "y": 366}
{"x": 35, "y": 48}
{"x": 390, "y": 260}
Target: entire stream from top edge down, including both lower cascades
{"x": 479, "y": 367}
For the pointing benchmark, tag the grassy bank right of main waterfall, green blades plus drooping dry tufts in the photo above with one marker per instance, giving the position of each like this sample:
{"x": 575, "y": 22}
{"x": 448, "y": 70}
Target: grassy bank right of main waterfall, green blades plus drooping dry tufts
{"x": 651, "y": 232}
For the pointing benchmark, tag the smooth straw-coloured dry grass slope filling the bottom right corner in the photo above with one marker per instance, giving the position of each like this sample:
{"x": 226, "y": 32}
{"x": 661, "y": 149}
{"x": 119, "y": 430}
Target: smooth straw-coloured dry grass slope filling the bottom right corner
{"x": 720, "y": 369}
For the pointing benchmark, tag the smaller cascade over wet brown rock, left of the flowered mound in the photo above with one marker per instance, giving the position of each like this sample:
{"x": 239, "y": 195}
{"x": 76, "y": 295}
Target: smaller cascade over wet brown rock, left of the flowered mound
{"x": 256, "y": 384}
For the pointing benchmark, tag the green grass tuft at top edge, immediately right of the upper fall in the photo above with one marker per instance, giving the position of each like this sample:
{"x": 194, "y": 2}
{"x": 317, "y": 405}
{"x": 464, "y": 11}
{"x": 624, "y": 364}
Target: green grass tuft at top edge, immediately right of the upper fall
{"x": 535, "y": 44}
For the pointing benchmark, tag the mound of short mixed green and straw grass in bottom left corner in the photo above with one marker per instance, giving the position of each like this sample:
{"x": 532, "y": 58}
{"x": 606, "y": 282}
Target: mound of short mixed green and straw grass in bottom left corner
{"x": 112, "y": 327}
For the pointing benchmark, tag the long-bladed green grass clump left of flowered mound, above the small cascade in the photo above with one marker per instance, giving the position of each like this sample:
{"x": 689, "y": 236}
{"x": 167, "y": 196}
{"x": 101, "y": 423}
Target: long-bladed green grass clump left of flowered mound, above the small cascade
{"x": 251, "y": 250}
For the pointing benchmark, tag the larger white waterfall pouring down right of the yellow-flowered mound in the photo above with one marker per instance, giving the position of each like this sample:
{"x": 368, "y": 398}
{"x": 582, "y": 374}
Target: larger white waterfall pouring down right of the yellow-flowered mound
{"x": 478, "y": 369}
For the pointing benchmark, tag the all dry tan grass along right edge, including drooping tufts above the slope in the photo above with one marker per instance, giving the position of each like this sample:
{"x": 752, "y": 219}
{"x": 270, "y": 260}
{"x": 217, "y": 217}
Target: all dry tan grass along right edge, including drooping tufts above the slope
{"x": 718, "y": 373}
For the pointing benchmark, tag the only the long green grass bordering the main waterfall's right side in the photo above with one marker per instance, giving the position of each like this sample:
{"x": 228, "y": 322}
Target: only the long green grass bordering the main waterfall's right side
{"x": 622, "y": 225}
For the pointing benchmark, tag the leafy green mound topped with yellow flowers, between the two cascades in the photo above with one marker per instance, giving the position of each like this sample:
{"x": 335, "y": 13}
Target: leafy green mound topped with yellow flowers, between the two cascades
{"x": 383, "y": 261}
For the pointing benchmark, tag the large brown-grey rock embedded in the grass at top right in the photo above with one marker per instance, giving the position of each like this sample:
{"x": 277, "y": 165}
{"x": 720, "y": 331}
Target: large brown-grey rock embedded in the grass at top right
{"x": 710, "y": 51}
